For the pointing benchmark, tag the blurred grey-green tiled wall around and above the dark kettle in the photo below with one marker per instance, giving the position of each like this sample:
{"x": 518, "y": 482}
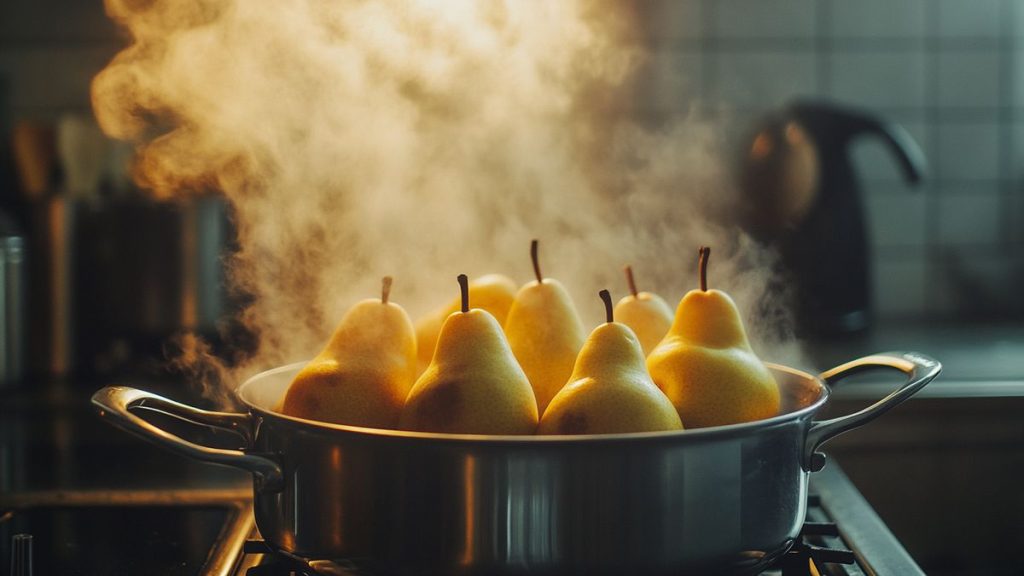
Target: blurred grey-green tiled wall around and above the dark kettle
{"x": 950, "y": 73}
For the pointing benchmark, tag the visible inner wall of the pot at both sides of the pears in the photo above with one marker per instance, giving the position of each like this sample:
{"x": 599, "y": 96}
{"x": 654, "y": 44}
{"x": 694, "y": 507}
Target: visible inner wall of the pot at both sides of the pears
{"x": 800, "y": 391}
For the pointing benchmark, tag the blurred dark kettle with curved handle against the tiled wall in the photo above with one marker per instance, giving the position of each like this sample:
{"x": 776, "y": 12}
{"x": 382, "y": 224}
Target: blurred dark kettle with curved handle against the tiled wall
{"x": 802, "y": 196}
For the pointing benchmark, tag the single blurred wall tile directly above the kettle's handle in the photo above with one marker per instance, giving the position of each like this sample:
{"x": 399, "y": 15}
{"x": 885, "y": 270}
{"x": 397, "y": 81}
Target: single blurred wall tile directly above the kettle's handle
{"x": 879, "y": 79}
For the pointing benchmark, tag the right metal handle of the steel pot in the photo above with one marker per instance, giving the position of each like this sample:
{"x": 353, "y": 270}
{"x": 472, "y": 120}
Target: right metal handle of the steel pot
{"x": 920, "y": 371}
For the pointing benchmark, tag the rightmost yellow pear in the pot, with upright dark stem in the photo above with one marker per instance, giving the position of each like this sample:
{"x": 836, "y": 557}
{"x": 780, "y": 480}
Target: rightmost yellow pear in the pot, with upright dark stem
{"x": 706, "y": 366}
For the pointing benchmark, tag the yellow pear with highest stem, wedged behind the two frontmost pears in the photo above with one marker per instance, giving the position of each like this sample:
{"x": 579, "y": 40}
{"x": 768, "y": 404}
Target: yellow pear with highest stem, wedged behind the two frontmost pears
{"x": 545, "y": 334}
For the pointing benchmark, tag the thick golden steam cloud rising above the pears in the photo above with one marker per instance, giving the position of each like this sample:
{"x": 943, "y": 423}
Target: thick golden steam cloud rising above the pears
{"x": 421, "y": 140}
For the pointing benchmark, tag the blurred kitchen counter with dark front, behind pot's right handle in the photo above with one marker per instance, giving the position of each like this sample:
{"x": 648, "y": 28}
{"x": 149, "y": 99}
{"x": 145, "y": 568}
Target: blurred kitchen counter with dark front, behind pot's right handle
{"x": 951, "y": 457}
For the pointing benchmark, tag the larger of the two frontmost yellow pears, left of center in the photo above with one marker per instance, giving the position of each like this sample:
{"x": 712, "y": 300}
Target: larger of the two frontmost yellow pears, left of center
{"x": 474, "y": 384}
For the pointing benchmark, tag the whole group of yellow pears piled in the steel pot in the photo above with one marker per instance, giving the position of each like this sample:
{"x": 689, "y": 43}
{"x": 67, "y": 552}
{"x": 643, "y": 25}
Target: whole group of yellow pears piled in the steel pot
{"x": 521, "y": 363}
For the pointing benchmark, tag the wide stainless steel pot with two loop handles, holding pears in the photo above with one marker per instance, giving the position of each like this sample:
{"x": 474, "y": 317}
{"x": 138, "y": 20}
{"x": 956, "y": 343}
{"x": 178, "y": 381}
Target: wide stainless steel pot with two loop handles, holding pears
{"x": 729, "y": 499}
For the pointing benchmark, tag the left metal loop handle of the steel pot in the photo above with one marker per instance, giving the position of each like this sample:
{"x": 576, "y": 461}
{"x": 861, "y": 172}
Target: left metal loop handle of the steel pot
{"x": 115, "y": 405}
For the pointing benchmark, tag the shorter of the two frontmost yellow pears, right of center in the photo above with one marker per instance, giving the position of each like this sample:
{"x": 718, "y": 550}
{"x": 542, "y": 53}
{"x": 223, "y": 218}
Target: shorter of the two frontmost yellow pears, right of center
{"x": 610, "y": 391}
